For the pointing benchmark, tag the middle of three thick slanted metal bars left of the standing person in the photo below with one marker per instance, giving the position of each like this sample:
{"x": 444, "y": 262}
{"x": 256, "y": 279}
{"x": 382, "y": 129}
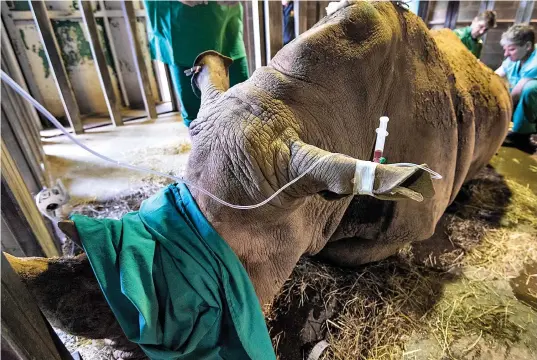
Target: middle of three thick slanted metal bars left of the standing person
{"x": 100, "y": 62}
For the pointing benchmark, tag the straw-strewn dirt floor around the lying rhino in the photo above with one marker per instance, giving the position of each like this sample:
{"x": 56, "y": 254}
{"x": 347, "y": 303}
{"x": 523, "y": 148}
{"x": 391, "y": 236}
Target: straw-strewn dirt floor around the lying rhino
{"x": 469, "y": 292}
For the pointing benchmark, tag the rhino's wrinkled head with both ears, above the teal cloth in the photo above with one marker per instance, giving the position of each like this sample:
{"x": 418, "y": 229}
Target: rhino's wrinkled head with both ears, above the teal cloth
{"x": 246, "y": 145}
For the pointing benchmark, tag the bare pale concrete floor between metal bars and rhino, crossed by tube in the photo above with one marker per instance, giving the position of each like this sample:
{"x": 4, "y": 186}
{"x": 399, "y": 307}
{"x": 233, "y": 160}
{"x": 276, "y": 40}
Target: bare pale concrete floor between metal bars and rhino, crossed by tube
{"x": 161, "y": 144}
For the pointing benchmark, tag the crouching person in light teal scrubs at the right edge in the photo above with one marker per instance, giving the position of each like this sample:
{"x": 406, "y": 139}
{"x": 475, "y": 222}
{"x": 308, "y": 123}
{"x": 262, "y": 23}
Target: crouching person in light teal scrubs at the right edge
{"x": 520, "y": 70}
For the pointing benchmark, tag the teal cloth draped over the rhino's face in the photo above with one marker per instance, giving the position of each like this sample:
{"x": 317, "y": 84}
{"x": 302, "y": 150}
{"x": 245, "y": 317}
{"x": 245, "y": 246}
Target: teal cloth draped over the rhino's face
{"x": 175, "y": 286}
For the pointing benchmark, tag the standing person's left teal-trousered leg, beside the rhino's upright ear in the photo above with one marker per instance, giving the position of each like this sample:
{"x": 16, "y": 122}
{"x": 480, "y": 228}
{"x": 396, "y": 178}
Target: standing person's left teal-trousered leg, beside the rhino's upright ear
{"x": 190, "y": 103}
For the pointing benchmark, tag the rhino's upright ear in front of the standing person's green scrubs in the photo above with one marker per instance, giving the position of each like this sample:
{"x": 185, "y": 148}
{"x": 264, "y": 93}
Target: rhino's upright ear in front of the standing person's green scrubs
{"x": 210, "y": 74}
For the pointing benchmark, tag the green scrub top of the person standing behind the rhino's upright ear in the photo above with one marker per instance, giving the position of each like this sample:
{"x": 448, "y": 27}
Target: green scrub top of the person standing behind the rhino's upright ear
{"x": 178, "y": 33}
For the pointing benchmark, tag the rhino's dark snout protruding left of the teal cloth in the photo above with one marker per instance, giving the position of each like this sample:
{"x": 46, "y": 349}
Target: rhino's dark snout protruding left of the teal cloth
{"x": 68, "y": 294}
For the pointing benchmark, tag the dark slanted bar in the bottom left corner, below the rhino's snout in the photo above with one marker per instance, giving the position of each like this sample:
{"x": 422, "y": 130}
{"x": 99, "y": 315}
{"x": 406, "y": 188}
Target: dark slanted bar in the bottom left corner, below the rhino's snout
{"x": 24, "y": 327}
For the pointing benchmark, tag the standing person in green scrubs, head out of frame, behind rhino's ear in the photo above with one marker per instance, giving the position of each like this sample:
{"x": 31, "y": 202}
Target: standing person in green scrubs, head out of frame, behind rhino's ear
{"x": 179, "y": 31}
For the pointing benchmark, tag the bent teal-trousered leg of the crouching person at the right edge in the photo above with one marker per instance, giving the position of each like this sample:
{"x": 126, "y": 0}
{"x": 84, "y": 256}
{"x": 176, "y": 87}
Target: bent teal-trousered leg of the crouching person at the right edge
{"x": 525, "y": 114}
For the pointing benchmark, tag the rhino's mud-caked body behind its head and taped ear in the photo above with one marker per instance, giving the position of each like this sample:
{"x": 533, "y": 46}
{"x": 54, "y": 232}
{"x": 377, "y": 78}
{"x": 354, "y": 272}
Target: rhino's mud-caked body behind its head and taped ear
{"x": 374, "y": 59}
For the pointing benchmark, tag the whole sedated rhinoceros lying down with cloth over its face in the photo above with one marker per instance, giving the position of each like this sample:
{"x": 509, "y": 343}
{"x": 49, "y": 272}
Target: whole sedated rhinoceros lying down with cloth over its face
{"x": 322, "y": 93}
